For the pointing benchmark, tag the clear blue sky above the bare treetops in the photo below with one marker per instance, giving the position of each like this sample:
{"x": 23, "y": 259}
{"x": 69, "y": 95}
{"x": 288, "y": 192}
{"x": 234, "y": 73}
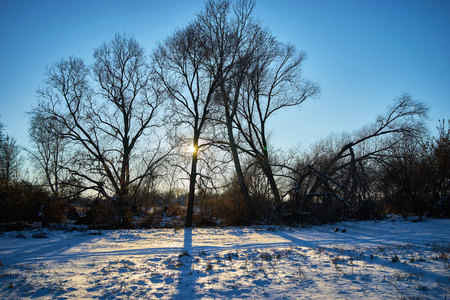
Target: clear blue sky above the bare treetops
{"x": 362, "y": 53}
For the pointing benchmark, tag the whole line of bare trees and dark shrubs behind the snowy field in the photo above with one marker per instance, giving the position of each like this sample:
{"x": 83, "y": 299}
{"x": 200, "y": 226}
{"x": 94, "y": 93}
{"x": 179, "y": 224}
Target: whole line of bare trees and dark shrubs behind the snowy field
{"x": 181, "y": 136}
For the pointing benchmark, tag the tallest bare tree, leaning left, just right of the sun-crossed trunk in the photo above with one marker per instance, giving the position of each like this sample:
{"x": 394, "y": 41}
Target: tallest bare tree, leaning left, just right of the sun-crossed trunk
{"x": 232, "y": 34}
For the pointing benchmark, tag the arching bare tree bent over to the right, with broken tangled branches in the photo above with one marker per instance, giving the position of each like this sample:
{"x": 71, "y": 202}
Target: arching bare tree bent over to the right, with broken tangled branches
{"x": 340, "y": 168}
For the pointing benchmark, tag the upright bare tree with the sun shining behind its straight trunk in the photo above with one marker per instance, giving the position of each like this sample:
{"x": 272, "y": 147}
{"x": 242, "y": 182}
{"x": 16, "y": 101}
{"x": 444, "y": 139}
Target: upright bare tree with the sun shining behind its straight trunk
{"x": 180, "y": 67}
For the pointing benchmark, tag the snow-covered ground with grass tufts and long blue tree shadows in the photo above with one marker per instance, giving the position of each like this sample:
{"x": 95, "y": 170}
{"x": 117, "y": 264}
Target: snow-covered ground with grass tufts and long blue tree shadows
{"x": 389, "y": 259}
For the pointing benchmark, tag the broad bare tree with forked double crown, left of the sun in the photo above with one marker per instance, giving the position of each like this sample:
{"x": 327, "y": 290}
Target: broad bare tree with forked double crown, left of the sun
{"x": 105, "y": 123}
